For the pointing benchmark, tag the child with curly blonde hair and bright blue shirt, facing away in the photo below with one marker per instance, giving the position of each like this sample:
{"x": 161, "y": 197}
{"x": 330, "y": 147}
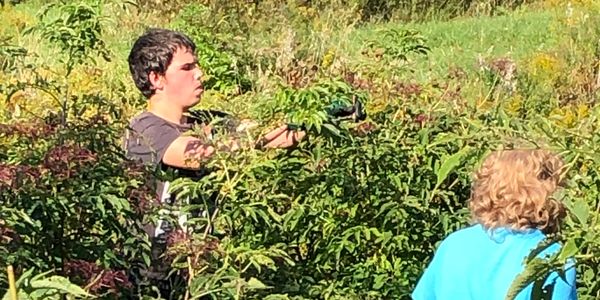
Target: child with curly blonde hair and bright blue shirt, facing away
{"x": 513, "y": 209}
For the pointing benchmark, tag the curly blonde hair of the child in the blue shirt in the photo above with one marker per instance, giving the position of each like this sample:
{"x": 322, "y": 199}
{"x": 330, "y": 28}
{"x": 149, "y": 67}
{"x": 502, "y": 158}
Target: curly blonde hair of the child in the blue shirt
{"x": 513, "y": 189}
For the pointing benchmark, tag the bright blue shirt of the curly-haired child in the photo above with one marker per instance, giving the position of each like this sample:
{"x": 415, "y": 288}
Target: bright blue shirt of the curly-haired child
{"x": 473, "y": 263}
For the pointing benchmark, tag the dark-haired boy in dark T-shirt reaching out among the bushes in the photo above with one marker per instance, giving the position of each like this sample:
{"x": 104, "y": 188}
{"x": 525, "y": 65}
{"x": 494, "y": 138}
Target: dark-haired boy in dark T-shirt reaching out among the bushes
{"x": 165, "y": 69}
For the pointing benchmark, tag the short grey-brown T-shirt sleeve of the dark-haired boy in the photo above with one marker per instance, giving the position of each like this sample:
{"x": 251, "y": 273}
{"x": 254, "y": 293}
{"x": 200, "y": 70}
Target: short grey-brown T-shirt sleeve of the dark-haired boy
{"x": 148, "y": 138}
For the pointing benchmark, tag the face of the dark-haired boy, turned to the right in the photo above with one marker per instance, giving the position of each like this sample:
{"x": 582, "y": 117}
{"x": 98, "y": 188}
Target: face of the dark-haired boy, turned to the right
{"x": 183, "y": 79}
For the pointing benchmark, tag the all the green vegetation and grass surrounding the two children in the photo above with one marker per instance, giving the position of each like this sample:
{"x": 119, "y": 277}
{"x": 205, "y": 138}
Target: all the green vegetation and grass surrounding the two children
{"x": 356, "y": 211}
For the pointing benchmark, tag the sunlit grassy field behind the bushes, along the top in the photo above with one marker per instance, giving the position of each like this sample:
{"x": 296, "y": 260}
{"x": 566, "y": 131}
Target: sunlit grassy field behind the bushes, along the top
{"x": 462, "y": 43}
